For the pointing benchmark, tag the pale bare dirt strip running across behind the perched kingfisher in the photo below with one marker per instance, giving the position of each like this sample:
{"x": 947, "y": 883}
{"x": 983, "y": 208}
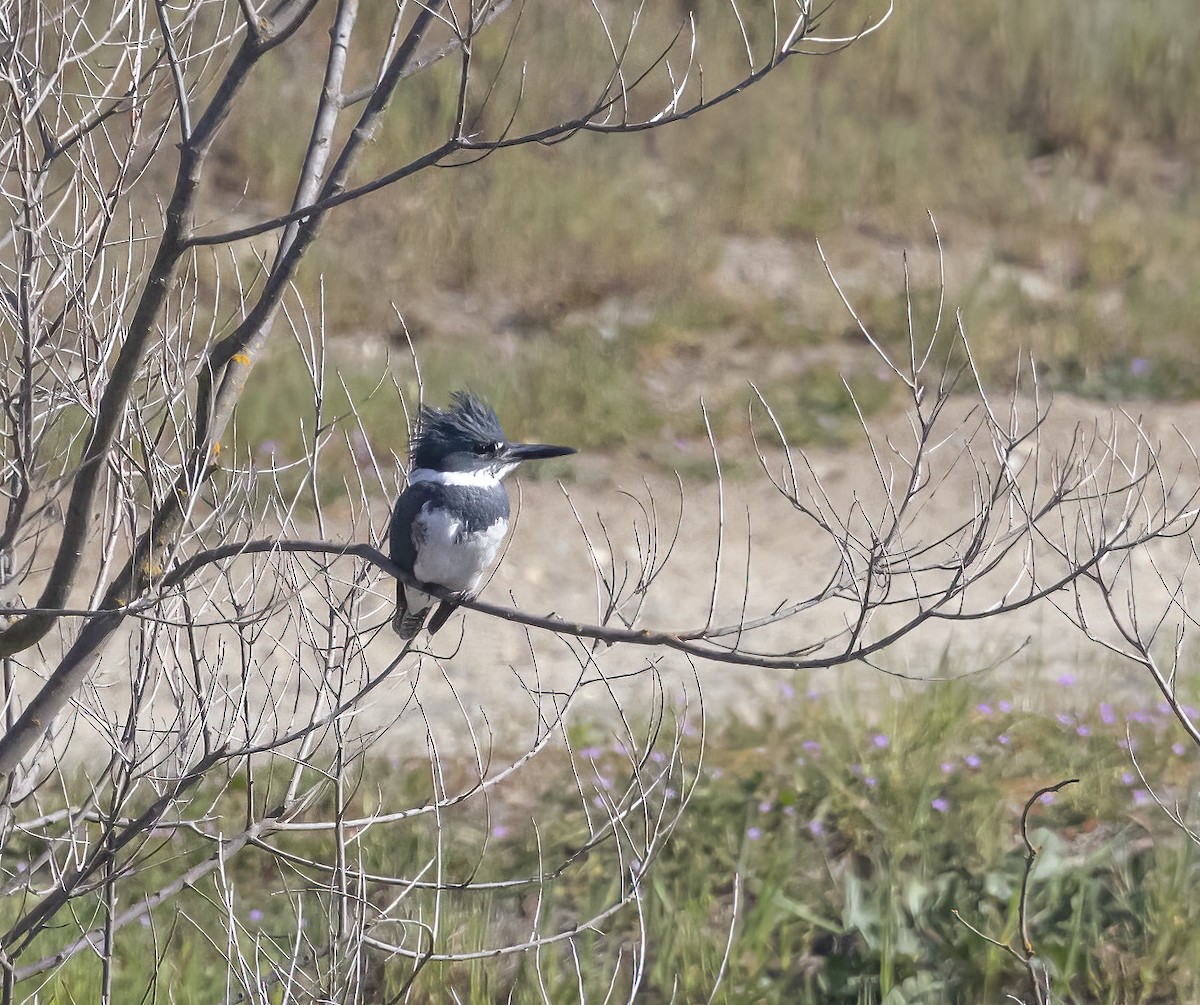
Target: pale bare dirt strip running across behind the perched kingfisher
{"x": 491, "y": 685}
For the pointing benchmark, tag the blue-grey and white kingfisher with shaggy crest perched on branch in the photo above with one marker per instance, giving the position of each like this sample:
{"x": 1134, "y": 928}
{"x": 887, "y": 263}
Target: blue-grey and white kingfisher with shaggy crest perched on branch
{"x": 448, "y": 526}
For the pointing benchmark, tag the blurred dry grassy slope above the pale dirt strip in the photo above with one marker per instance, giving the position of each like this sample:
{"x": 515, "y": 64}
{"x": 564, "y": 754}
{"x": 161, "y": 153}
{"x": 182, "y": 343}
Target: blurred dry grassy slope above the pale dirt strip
{"x": 596, "y": 290}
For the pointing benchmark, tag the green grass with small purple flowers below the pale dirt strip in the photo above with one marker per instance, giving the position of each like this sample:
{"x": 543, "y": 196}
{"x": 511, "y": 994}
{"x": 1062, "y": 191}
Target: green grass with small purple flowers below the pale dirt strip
{"x": 853, "y": 841}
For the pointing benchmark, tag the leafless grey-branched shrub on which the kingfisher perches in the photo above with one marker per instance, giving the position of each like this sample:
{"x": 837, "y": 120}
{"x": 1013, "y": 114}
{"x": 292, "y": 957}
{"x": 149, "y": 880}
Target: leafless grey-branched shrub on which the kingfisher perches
{"x": 193, "y": 665}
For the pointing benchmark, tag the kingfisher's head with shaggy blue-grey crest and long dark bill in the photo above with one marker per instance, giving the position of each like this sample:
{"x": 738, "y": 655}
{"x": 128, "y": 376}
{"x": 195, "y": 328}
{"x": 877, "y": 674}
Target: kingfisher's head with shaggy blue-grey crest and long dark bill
{"x": 467, "y": 438}
